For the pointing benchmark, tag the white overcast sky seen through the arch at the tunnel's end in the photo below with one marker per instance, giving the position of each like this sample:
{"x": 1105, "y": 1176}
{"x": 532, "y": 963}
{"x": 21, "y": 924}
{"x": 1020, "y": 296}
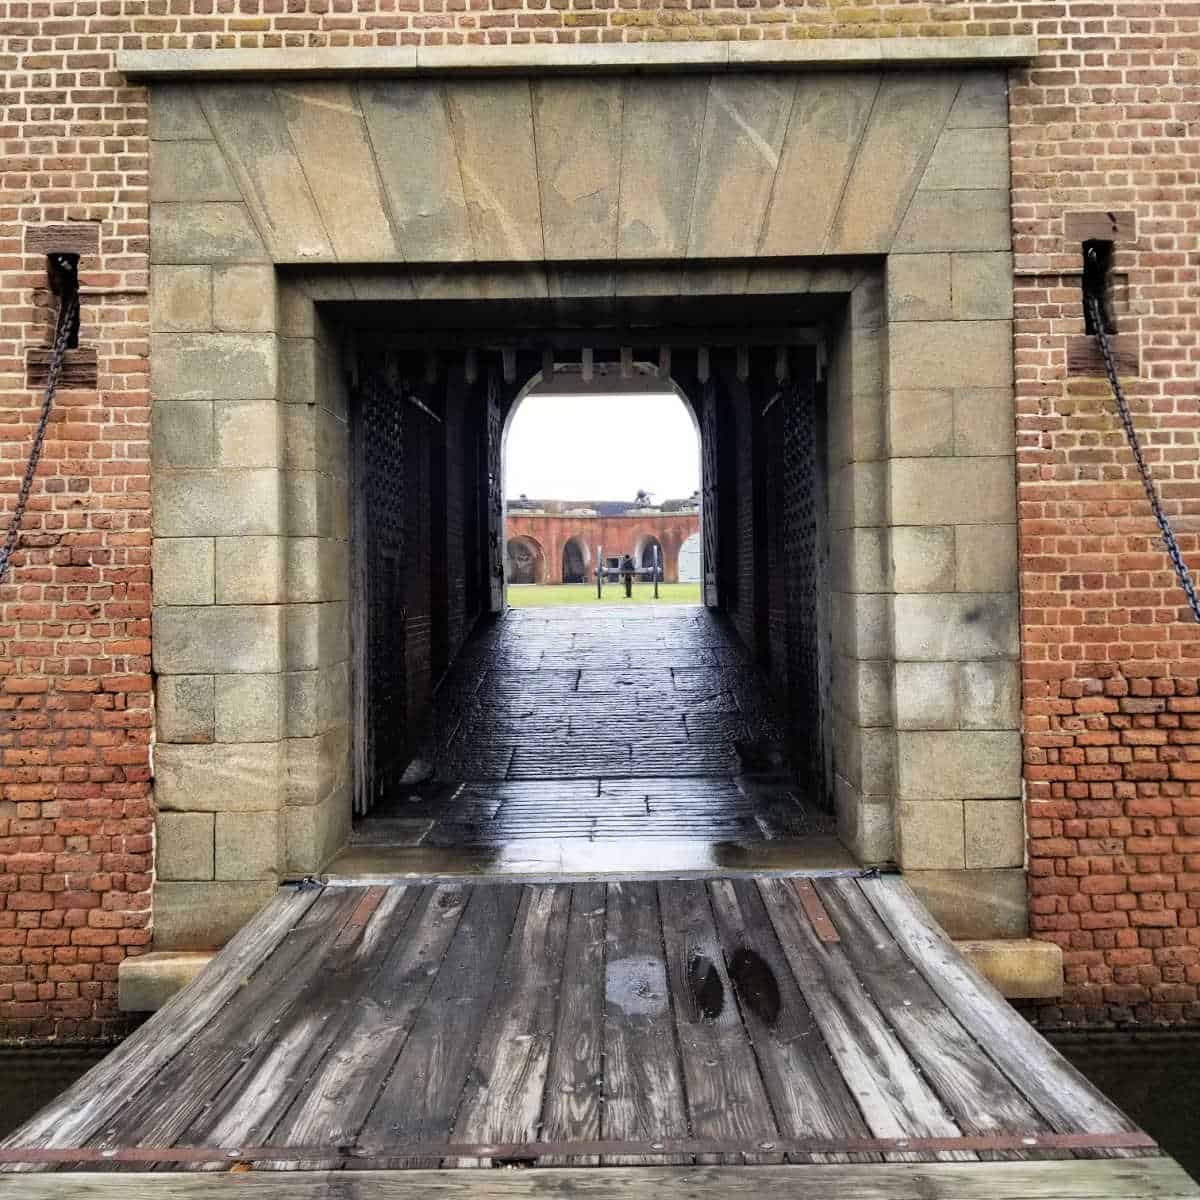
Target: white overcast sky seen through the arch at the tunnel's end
{"x": 602, "y": 448}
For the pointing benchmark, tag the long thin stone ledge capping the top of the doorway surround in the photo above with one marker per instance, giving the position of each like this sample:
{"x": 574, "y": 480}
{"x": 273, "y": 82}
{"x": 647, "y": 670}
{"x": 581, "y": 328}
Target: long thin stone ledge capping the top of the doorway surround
{"x": 141, "y": 67}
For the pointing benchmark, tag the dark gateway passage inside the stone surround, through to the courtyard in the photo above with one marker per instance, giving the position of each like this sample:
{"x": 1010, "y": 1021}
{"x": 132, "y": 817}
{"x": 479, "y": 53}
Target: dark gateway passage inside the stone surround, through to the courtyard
{"x": 494, "y": 728}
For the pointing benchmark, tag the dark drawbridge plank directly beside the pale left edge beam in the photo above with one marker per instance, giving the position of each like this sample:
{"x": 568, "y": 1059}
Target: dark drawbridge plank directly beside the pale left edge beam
{"x": 166, "y": 1106}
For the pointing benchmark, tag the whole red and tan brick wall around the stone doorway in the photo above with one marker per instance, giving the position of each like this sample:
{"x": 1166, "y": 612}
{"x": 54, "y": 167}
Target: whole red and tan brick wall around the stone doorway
{"x": 1105, "y": 119}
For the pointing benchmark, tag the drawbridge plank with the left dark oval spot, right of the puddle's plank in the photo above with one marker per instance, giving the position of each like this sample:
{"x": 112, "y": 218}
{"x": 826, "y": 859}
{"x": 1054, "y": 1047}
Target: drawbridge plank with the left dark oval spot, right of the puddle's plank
{"x": 727, "y": 1097}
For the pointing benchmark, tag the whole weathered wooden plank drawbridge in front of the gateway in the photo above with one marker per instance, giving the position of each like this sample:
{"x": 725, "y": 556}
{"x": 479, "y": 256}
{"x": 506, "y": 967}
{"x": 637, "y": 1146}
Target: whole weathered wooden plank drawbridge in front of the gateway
{"x": 489, "y": 1037}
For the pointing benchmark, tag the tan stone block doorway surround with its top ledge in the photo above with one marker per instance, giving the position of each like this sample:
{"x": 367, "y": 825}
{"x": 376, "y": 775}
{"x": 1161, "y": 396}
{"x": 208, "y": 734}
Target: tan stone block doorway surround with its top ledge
{"x": 873, "y": 172}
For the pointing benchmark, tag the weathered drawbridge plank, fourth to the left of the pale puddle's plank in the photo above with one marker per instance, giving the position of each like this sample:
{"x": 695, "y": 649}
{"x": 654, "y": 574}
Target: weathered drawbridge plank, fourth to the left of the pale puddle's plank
{"x": 338, "y": 1100}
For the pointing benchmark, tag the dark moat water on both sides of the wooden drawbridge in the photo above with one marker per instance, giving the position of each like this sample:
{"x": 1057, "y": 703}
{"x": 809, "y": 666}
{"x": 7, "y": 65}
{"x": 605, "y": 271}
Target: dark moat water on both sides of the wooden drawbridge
{"x": 1154, "y": 1077}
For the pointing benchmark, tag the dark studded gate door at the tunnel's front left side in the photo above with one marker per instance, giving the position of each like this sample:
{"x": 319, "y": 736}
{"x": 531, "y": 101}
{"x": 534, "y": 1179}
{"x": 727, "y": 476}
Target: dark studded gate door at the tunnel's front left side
{"x": 379, "y": 614}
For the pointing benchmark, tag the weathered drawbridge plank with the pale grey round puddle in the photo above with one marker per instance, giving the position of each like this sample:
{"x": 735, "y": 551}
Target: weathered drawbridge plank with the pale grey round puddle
{"x": 644, "y": 1095}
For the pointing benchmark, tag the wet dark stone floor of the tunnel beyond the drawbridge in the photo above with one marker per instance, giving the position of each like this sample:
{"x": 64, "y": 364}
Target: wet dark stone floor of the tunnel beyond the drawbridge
{"x": 583, "y": 727}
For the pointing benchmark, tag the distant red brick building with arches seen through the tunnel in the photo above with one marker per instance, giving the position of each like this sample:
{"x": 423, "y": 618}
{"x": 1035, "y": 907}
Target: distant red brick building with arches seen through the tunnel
{"x": 563, "y": 542}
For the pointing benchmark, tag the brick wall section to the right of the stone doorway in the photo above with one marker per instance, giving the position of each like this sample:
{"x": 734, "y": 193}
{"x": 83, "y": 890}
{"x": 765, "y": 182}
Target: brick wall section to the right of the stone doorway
{"x": 1108, "y": 119}
